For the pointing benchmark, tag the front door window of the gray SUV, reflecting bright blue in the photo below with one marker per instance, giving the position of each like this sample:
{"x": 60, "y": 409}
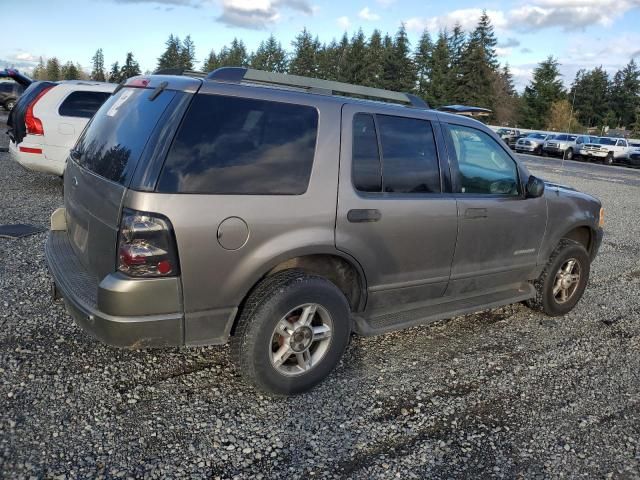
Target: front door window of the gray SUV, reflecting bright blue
{"x": 483, "y": 166}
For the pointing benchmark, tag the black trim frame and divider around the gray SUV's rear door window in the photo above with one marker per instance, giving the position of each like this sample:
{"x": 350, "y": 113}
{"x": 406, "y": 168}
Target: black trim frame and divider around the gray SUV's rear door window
{"x": 387, "y": 195}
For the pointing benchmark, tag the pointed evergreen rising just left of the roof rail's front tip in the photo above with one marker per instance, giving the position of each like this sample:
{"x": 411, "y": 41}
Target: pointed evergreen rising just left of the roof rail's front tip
{"x": 398, "y": 70}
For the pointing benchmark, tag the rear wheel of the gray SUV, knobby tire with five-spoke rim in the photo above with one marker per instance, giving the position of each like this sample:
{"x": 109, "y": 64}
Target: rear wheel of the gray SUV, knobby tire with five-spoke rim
{"x": 291, "y": 333}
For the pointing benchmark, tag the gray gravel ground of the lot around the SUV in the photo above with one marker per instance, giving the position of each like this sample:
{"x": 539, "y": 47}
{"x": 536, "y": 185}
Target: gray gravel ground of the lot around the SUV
{"x": 504, "y": 393}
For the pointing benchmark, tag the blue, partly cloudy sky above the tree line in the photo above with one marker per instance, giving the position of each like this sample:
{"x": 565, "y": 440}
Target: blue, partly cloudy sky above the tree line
{"x": 579, "y": 33}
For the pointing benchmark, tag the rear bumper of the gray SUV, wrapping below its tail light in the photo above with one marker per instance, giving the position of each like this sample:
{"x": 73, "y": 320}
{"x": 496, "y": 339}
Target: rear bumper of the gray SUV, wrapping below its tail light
{"x": 84, "y": 298}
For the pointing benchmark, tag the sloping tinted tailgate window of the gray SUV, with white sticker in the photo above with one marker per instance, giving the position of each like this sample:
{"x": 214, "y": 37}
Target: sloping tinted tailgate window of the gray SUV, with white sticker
{"x": 113, "y": 142}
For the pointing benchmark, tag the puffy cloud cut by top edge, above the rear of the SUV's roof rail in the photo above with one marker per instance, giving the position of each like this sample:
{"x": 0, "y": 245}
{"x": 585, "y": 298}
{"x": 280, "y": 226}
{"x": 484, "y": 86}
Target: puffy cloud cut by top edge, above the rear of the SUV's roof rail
{"x": 258, "y": 14}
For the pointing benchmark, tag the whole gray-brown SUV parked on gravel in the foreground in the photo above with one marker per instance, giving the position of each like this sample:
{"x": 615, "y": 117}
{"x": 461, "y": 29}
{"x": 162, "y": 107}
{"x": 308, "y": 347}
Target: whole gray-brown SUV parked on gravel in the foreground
{"x": 283, "y": 214}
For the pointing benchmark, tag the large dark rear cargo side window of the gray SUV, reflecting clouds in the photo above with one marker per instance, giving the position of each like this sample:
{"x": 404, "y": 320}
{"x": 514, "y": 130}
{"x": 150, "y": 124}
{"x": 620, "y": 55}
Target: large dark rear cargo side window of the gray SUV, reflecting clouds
{"x": 231, "y": 145}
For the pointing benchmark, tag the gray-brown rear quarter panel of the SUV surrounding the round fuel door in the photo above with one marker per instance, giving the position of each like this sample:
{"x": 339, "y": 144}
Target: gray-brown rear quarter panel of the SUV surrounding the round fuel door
{"x": 280, "y": 226}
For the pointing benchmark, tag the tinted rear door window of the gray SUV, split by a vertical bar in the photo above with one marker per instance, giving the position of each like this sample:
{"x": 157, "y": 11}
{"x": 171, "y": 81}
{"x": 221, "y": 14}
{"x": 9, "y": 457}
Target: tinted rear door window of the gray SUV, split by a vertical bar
{"x": 409, "y": 157}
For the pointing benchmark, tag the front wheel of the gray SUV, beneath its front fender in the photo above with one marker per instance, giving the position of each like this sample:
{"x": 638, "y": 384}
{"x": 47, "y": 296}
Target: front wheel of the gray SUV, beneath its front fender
{"x": 562, "y": 282}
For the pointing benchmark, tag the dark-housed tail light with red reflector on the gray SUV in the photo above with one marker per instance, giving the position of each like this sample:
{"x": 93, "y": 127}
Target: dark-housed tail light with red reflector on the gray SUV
{"x": 146, "y": 246}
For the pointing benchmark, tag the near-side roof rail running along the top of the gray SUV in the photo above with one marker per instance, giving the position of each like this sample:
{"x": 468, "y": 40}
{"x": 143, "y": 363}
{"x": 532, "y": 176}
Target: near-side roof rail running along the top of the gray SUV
{"x": 328, "y": 87}
